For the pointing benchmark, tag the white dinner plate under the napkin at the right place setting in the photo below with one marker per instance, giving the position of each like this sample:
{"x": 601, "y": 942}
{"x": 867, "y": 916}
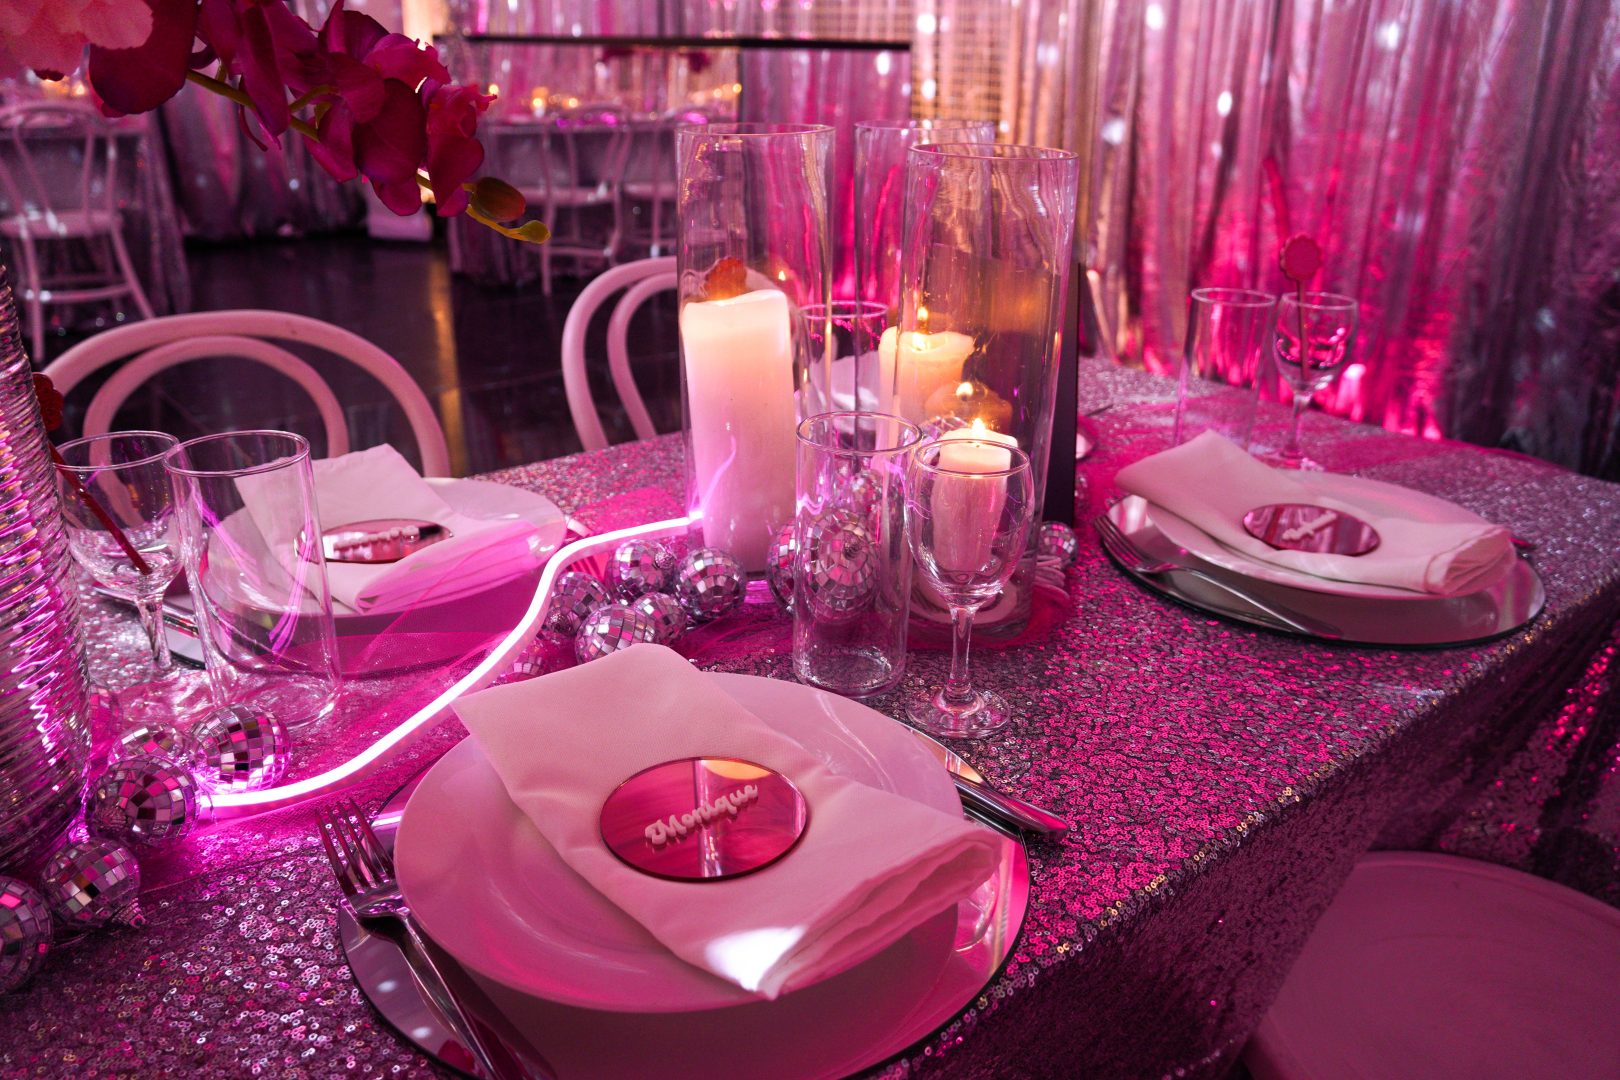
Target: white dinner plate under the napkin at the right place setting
{"x": 1376, "y": 496}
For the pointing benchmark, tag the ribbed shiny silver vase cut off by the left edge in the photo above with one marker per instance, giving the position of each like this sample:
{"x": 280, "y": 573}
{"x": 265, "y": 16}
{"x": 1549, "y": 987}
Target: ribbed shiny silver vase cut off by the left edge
{"x": 45, "y": 731}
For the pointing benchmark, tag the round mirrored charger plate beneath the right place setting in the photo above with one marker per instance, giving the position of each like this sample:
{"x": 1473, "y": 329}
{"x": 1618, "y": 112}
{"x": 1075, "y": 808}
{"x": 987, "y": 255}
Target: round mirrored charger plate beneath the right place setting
{"x": 1418, "y": 623}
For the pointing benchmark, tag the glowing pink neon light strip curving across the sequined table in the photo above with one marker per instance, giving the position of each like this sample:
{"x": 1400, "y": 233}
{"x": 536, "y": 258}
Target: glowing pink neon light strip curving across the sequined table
{"x": 242, "y": 804}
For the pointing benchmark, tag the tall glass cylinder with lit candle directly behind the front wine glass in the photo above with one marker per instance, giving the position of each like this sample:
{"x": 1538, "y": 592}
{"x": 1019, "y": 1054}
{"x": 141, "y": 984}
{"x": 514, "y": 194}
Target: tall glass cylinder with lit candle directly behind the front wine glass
{"x": 984, "y": 273}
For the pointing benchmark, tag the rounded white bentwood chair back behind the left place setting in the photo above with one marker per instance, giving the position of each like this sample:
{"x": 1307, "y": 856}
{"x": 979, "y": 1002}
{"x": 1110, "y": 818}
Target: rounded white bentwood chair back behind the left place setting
{"x": 147, "y": 349}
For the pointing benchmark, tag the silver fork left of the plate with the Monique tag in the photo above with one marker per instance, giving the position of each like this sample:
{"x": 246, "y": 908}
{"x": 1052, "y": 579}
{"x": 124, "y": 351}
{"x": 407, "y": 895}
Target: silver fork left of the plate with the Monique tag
{"x": 365, "y": 872}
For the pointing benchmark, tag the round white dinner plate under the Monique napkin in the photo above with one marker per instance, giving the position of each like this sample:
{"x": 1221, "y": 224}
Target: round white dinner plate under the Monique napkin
{"x": 488, "y": 887}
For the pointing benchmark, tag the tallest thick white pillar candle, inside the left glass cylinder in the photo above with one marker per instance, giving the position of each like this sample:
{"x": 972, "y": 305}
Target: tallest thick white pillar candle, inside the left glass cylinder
{"x": 740, "y": 362}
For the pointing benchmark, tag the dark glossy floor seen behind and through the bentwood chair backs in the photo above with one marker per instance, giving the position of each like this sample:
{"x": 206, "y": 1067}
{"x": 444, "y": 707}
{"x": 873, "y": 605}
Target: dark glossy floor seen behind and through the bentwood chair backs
{"x": 488, "y": 359}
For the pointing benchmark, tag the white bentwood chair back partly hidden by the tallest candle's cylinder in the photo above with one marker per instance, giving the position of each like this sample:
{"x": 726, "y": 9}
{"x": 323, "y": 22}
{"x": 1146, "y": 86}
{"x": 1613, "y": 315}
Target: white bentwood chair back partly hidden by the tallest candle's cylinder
{"x": 641, "y": 281}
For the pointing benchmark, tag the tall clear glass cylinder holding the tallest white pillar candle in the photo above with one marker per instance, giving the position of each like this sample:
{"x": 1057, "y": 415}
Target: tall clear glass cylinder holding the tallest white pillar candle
{"x": 752, "y": 257}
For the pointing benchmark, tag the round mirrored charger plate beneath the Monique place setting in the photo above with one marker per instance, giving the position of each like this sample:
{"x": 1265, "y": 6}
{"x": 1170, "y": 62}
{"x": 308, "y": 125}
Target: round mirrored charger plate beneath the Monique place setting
{"x": 785, "y": 1039}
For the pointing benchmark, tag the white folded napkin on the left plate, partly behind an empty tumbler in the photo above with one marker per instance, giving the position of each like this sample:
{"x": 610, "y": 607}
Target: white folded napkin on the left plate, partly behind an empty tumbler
{"x": 380, "y": 483}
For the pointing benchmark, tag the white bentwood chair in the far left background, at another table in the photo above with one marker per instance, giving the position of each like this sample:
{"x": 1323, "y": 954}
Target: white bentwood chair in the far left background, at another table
{"x": 59, "y": 172}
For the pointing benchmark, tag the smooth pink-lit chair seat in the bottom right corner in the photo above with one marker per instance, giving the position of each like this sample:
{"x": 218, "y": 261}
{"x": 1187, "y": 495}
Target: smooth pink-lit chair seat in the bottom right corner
{"x": 1438, "y": 967}
